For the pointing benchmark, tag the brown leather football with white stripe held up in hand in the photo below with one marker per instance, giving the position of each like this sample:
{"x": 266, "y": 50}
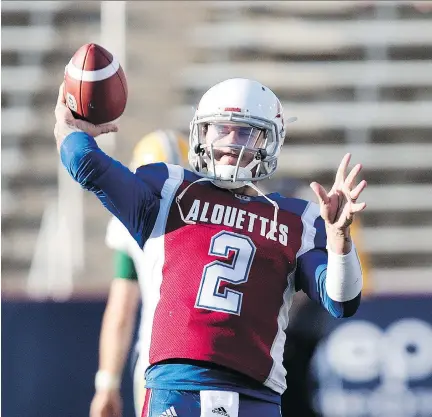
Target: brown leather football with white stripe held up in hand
{"x": 95, "y": 85}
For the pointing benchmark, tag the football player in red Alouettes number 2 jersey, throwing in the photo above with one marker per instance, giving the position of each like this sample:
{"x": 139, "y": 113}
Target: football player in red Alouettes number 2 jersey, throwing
{"x": 223, "y": 259}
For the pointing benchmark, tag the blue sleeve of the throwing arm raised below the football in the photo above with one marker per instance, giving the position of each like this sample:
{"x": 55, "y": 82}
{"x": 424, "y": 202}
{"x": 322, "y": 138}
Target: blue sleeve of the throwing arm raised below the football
{"x": 133, "y": 201}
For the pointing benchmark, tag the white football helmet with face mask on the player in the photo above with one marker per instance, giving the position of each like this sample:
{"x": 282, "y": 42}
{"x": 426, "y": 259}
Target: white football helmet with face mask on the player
{"x": 242, "y": 121}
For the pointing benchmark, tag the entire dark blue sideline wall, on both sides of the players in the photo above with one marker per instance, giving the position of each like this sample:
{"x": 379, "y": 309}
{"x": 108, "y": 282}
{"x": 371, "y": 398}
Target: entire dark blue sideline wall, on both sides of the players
{"x": 376, "y": 364}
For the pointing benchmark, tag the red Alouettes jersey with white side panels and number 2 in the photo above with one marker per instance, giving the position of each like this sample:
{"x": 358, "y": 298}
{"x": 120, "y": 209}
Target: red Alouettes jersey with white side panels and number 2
{"x": 218, "y": 288}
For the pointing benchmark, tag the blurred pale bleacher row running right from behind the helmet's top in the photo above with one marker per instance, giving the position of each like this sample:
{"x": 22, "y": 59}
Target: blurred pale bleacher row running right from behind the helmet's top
{"x": 316, "y": 76}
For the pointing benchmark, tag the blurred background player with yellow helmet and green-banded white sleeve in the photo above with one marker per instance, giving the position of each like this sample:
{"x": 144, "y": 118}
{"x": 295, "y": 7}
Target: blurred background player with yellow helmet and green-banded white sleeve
{"x": 123, "y": 301}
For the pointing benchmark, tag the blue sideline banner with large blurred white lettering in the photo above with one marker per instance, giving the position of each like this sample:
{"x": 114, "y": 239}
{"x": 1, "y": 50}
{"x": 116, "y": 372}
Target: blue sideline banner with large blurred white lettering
{"x": 378, "y": 363}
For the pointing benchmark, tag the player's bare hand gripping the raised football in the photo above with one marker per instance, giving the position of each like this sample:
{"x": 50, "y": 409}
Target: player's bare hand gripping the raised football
{"x": 66, "y": 123}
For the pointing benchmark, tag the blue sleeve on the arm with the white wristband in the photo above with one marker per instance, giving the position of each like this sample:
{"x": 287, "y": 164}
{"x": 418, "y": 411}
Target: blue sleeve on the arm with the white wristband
{"x": 311, "y": 276}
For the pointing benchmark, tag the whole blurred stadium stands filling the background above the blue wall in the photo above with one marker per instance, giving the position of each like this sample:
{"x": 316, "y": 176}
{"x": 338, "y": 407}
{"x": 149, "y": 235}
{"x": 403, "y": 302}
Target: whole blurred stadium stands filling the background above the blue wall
{"x": 357, "y": 74}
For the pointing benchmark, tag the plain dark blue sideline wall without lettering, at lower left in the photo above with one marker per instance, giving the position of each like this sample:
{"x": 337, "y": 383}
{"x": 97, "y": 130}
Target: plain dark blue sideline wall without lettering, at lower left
{"x": 49, "y": 359}
